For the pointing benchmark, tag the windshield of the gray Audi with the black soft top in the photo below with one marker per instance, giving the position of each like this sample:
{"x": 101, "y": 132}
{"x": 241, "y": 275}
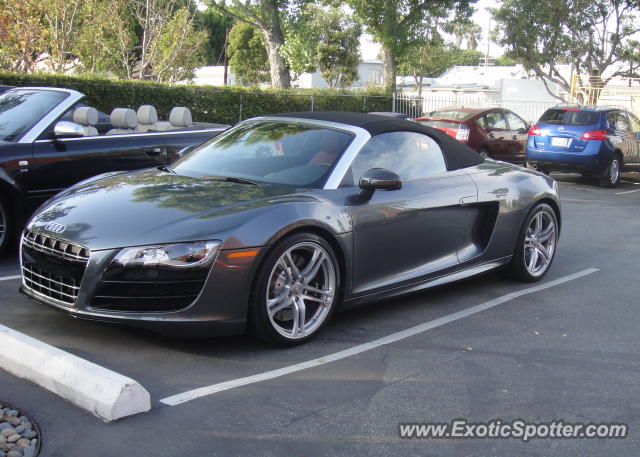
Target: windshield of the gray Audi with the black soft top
{"x": 275, "y": 152}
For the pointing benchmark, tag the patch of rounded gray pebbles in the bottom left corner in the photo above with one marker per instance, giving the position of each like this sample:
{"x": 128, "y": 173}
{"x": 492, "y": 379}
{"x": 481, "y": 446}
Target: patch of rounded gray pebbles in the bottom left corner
{"x": 19, "y": 435}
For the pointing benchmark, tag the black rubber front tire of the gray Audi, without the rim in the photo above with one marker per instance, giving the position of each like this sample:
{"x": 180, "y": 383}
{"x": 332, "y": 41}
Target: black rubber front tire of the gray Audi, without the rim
{"x": 260, "y": 325}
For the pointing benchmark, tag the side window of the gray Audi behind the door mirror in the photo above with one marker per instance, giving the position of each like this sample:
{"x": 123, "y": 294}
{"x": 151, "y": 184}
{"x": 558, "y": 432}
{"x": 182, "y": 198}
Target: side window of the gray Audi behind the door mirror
{"x": 411, "y": 155}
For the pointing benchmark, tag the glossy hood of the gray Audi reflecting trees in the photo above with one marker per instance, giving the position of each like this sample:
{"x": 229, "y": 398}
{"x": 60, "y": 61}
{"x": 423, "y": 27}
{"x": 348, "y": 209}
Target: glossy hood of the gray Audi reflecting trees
{"x": 152, "y": 206}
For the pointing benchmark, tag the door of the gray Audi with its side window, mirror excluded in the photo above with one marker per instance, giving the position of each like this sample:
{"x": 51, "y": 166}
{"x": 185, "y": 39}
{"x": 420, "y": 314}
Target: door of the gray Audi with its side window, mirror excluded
{"x": 407, "y": 235}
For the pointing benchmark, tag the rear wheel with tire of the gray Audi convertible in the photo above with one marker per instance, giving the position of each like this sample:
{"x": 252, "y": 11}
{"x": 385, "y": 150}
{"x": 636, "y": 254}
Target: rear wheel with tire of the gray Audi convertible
{"x": 536, "y": 246}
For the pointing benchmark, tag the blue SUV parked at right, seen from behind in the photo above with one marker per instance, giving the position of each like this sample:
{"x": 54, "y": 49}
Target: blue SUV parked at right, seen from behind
{"x": 595, "y": 141}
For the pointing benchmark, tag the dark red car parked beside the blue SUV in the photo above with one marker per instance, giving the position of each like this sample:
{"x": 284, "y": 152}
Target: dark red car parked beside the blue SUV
{"x": 495, "y": 133}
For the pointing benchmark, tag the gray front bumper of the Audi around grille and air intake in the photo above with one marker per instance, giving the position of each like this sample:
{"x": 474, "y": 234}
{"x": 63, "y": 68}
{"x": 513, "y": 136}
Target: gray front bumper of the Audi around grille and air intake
{"x": 219, "y": 310}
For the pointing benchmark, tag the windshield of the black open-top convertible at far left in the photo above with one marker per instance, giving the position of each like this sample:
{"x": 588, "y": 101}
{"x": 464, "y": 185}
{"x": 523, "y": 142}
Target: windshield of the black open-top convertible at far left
{"x": 22, "y": 109}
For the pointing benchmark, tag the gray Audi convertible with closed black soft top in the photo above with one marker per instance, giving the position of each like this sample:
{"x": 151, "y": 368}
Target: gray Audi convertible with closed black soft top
{"x": 278, "y": 222}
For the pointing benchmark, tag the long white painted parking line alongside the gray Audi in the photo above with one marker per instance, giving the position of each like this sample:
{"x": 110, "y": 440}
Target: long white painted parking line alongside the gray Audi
{"x": 215, "y": 388}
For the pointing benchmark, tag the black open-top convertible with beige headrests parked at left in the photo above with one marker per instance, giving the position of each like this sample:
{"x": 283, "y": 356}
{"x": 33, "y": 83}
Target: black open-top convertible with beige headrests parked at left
{"x": 42, "y": 151}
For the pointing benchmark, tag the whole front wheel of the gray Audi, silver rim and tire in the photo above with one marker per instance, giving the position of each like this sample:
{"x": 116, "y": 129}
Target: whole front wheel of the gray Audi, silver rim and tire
{"x": 296, "y": 291}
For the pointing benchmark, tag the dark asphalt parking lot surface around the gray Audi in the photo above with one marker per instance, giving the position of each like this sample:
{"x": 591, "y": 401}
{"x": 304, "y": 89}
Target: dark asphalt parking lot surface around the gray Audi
{"x": 566, "y": 352}
